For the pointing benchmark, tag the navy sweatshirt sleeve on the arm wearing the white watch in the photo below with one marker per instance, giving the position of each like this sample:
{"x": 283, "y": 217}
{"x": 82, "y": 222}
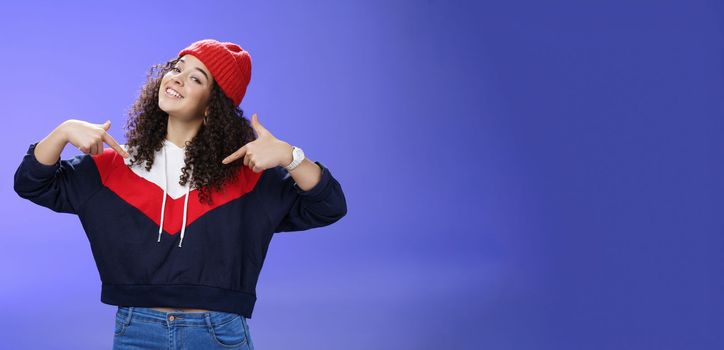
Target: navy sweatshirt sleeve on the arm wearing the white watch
{"x": 293, "y": 209}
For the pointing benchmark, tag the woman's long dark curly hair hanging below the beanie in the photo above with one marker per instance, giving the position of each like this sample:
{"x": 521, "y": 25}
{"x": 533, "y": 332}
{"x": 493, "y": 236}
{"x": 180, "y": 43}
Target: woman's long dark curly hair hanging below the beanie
{"x": 225, "y": 131}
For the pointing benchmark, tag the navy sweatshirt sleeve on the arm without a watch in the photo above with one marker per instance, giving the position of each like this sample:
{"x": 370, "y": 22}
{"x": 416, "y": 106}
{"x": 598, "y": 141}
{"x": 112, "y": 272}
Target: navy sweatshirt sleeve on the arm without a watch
{"x": 62, "y": 187}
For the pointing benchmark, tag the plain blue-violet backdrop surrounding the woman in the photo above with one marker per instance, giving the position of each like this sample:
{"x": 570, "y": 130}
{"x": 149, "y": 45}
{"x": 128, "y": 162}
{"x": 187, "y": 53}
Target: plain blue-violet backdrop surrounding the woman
{"x": 519, "y": 174}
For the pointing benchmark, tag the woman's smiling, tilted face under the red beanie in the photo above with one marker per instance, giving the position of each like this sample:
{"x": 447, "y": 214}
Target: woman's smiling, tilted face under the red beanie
{"x": 185, "y": 89}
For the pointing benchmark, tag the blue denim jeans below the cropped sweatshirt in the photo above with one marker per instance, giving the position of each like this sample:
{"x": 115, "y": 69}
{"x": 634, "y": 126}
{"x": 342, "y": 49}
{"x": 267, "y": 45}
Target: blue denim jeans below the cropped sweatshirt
{"x": 146, "y": 328}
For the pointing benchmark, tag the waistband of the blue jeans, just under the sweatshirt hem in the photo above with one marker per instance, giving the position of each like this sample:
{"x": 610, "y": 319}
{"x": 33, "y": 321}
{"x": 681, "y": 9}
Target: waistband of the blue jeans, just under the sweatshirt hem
{"x": 180, "y": 318}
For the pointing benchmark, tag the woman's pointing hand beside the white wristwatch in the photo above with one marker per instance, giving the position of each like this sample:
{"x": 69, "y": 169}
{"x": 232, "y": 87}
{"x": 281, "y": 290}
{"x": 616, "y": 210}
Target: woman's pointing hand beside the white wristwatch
{"x": 263, "y": 153}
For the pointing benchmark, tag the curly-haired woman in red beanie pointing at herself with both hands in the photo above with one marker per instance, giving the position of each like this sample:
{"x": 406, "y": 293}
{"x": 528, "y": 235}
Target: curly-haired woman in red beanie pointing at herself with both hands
{"x": 179, "y": 218}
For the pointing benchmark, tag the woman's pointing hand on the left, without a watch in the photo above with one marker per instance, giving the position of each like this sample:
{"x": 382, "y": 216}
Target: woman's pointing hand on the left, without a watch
{"x": 89, "y": 137}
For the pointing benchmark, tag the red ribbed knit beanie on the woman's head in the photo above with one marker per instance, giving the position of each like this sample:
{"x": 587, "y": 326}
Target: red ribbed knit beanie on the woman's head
{"x": 229, "y": 64}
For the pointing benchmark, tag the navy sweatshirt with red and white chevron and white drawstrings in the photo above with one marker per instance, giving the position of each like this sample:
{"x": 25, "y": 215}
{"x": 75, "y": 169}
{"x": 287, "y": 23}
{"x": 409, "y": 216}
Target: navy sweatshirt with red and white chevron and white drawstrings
{"x": 156, "y": 245}
